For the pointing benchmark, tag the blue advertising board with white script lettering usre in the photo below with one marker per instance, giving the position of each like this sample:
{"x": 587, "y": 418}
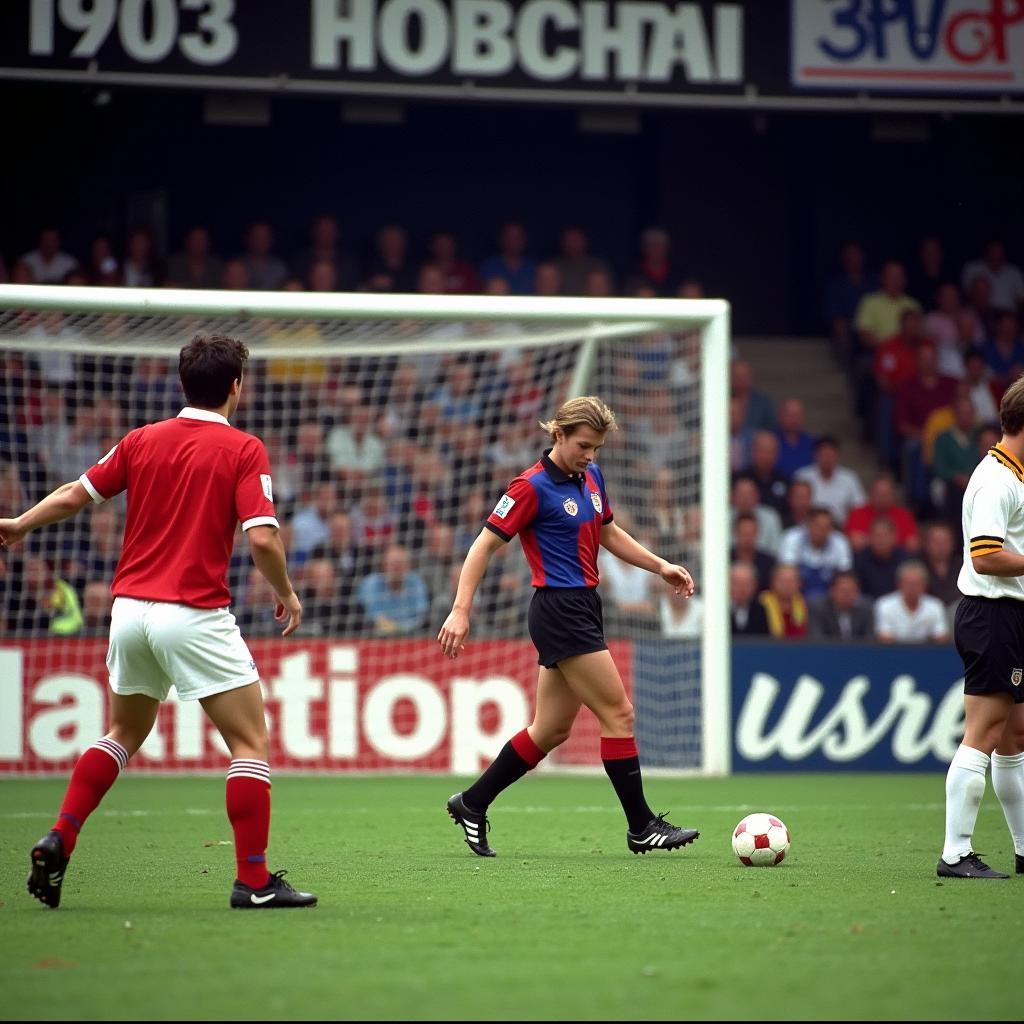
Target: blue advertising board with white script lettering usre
{"x": 860, "y": 708}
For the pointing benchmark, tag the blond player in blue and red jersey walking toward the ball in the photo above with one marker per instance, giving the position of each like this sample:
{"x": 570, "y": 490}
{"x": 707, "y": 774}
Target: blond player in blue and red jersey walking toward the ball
{"x": 561, "y": 509}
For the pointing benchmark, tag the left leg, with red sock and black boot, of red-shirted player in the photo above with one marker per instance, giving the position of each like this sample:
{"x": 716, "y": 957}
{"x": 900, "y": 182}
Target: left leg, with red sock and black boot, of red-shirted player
{"x": 133, "y": 718}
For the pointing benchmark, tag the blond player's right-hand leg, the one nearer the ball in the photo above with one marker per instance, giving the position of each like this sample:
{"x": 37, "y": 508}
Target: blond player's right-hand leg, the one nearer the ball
{"x": 595, "y": 680}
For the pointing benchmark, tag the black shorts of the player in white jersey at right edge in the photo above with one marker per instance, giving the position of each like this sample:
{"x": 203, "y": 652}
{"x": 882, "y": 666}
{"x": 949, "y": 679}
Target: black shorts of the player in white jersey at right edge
{"x": 990, "y": 636}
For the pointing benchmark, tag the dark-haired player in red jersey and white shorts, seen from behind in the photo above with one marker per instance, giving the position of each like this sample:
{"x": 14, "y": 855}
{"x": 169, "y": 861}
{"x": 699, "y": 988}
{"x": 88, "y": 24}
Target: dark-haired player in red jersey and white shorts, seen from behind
{"x": 190, "y": 482}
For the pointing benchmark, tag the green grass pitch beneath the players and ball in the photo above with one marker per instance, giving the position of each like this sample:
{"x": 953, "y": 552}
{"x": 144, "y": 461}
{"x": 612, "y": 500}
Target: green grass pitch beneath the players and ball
{"x": 565, "y": 924}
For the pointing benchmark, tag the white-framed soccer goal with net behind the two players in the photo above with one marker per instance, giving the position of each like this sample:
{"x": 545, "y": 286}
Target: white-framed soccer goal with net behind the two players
{"x": 394, "y": 424}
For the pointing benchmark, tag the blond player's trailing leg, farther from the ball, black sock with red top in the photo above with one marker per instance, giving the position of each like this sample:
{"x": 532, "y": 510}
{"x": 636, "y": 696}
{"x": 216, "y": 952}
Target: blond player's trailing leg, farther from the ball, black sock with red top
{"x": 557, "y": 710}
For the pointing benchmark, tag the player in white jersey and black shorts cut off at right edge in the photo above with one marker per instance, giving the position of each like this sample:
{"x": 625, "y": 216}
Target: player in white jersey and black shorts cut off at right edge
{"x": 990, "y": 633}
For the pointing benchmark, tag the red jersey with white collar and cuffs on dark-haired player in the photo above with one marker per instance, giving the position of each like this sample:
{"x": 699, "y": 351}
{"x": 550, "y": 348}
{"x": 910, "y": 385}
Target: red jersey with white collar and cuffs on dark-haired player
{"x": 190, "y": 482}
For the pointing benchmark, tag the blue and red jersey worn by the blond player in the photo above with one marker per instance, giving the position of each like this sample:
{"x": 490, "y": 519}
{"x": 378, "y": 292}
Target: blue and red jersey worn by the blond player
{"x": 559, "y": 519}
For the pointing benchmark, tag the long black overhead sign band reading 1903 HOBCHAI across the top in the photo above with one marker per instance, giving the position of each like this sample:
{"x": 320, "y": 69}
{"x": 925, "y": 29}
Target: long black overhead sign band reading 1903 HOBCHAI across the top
{"x": 820, "y": 55}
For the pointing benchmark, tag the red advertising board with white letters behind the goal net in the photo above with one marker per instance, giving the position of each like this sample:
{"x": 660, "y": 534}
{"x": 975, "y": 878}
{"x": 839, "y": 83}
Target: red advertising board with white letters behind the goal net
{"x": 359, "y": 706}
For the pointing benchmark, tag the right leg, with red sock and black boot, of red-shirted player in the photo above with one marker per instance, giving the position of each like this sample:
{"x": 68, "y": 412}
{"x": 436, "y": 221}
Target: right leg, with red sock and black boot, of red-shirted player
{"x": 240, "y": 718}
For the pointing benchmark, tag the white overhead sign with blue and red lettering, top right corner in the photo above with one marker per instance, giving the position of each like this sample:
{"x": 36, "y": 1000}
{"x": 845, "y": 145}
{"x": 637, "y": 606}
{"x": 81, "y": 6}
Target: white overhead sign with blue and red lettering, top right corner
{"x": 928, "y": 46}
